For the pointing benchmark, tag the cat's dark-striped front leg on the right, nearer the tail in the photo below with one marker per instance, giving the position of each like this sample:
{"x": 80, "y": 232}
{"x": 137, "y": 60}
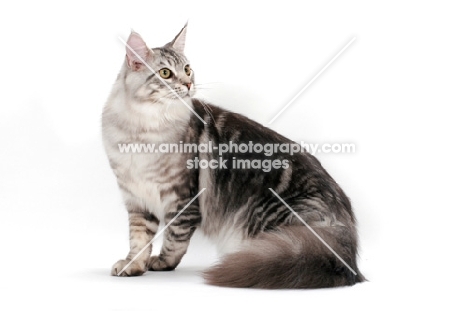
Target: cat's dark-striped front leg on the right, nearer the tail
{"x": 176, "y": 239}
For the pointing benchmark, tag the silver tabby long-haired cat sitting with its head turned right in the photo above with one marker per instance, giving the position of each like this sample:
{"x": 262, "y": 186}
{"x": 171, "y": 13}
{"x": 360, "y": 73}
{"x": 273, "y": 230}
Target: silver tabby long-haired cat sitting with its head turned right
{"x": 262, "y": 242}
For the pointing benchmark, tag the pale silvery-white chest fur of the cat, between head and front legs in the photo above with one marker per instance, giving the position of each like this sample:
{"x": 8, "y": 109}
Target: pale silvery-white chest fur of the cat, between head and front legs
{"x": 144, "y": 176}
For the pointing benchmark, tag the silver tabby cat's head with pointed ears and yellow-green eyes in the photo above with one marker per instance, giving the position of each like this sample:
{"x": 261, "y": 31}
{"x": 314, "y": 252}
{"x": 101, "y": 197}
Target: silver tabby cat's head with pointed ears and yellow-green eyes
{"x": 160, "y": 75}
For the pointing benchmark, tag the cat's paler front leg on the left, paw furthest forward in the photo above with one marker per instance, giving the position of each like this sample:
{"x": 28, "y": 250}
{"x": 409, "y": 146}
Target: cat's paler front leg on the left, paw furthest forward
{"x": 143, "y": 227}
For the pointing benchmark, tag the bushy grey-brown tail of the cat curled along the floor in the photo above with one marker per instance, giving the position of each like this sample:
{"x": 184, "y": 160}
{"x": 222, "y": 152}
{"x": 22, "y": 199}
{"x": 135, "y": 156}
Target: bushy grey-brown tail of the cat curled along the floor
{"x": 290, "y": 258}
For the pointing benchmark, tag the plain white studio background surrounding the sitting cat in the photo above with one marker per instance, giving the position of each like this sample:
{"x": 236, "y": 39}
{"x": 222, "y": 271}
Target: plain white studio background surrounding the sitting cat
{"x": 398, "y": 92}
